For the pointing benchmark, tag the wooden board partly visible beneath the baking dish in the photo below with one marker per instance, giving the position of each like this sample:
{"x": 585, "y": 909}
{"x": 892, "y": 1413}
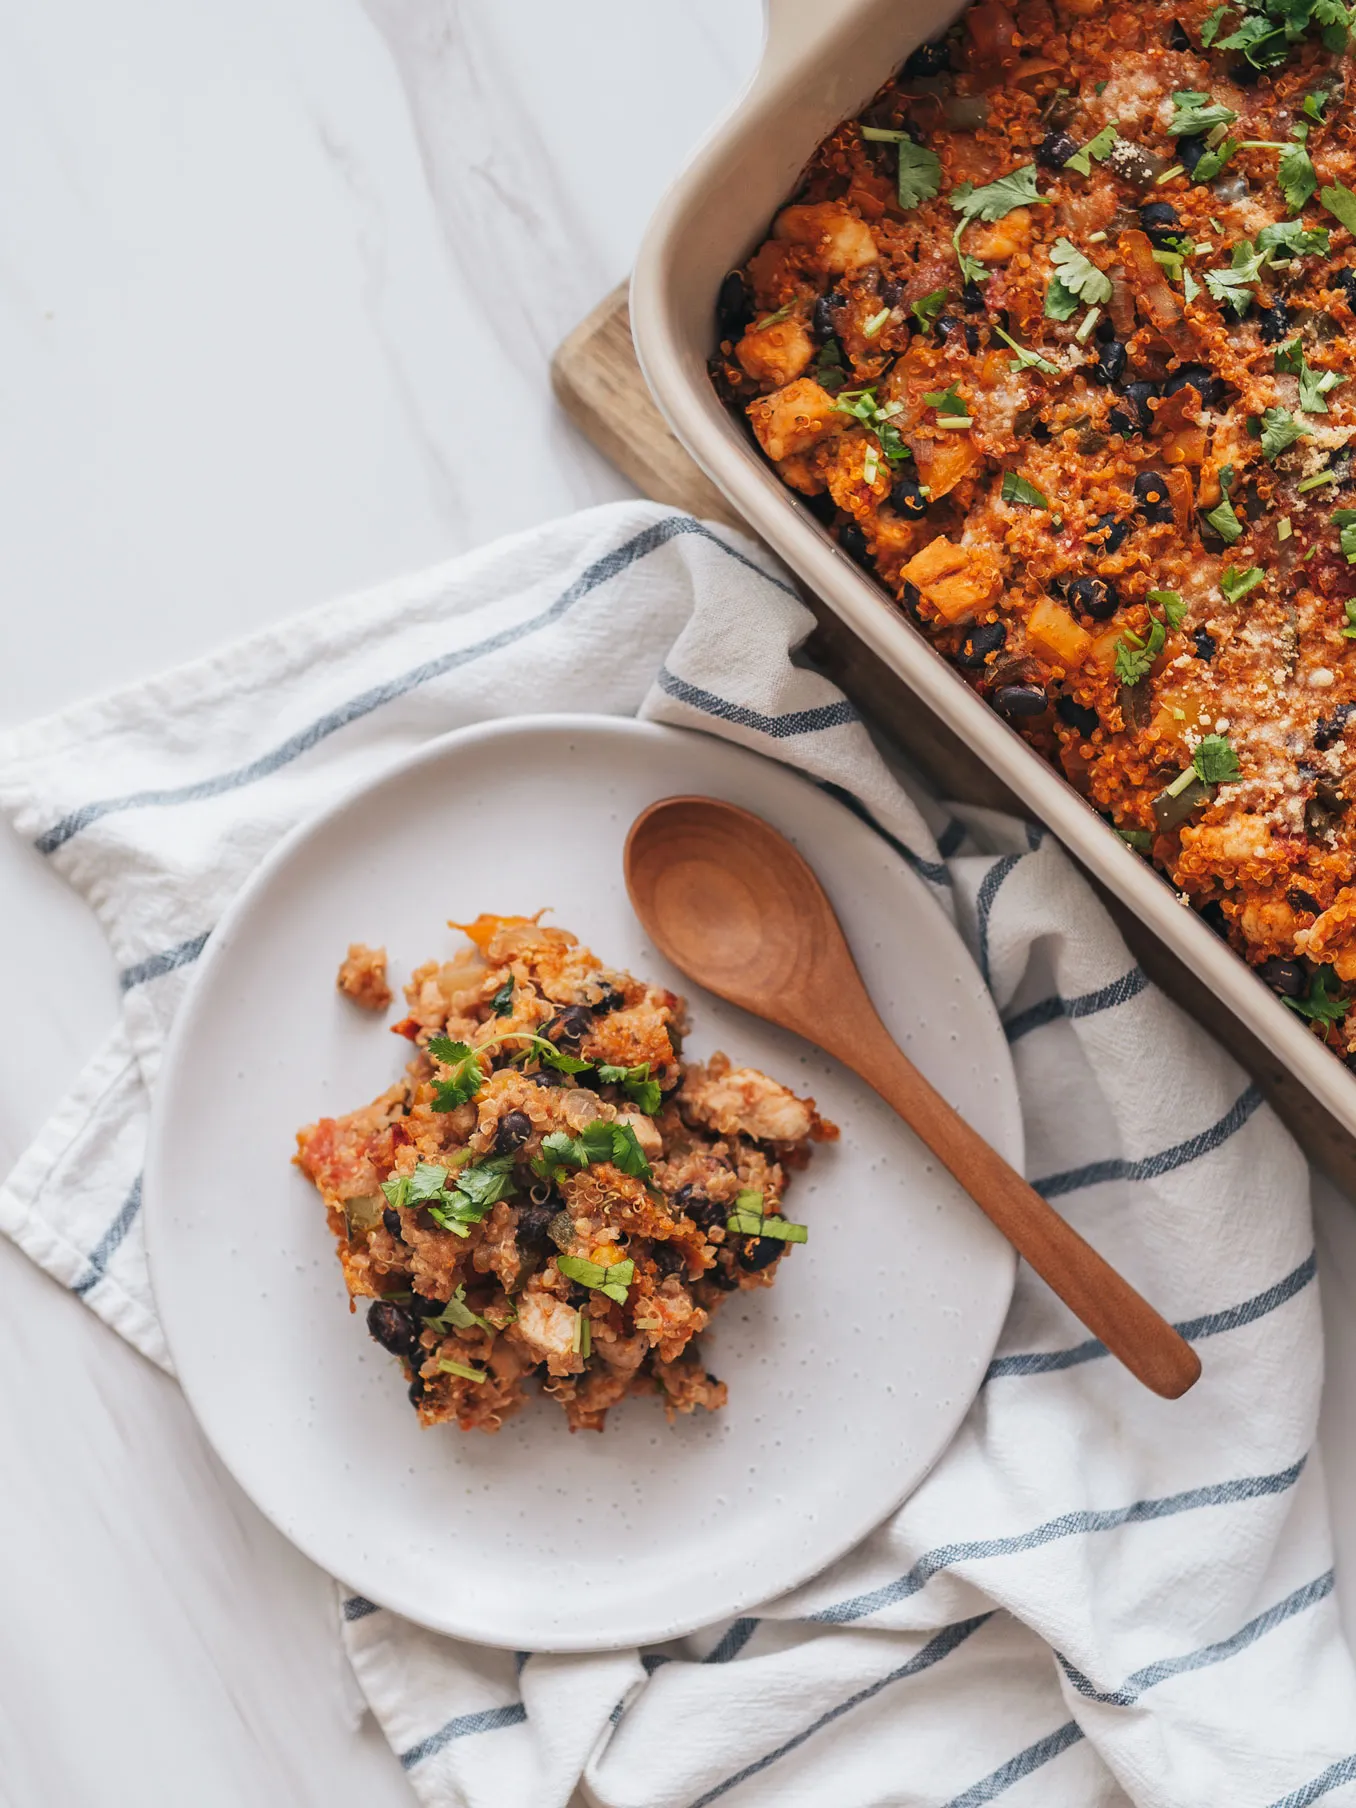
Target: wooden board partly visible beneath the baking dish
{"x": 601, "y": 388}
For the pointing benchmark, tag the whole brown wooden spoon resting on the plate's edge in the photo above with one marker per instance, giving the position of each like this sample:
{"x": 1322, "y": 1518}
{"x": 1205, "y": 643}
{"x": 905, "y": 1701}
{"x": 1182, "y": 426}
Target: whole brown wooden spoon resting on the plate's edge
{"x": 737, "y": 909}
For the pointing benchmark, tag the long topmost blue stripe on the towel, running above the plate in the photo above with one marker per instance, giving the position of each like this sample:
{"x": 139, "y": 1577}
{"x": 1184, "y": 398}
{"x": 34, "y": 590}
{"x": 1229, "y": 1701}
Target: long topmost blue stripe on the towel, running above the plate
{"x": 610, "y": 567}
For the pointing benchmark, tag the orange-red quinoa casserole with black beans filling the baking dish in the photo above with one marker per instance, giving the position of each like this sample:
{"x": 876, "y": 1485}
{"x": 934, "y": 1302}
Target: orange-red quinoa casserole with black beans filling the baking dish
{"x": 1059, "y": 341}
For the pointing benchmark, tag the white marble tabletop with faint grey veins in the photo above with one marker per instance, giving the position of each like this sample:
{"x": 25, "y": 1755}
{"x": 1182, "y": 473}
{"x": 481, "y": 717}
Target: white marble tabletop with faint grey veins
{"x": 279, "y": 285}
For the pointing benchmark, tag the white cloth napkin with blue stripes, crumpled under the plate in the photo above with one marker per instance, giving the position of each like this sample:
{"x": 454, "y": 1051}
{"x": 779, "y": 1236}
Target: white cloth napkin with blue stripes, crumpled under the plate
{"x": 1097, "y": 1596}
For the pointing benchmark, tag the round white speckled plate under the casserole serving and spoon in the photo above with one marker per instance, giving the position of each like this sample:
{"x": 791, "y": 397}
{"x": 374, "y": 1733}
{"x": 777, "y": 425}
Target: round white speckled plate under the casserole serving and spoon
{"x": 847, "y": 1379}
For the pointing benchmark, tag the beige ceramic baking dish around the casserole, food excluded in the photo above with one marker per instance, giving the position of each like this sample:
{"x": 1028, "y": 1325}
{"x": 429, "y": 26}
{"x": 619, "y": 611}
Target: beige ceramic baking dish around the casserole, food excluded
{"x": 822, "y": 62}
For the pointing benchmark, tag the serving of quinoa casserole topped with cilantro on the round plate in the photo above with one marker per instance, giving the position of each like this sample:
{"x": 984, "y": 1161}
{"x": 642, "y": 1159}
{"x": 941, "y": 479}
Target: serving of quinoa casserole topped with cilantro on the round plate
{"x": 551, "y": 1191}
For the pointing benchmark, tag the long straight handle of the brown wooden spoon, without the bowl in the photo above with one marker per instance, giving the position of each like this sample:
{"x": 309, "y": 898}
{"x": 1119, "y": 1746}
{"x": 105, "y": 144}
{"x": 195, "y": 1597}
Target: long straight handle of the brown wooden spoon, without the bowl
{"x": 1089, "y": 1286}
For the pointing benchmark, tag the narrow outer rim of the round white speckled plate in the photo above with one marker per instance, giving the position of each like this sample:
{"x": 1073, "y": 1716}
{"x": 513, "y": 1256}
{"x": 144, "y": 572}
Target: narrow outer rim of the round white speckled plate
{"x": 218, "y": 948}
